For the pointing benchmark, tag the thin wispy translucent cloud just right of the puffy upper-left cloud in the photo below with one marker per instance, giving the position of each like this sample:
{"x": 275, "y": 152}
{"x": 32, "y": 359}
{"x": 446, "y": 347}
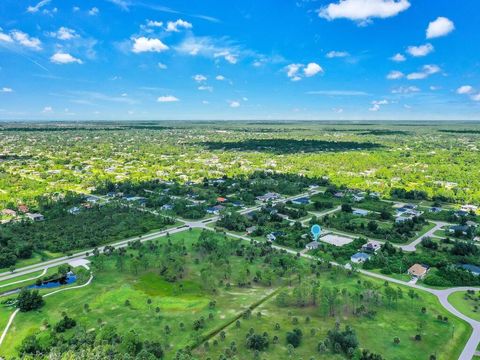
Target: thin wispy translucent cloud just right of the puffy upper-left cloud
{"x": 212, "y": 48}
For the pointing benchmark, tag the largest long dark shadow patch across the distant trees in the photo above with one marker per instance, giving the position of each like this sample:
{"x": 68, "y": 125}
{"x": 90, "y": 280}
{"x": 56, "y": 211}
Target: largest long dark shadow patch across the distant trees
{"x": 291, "y": 146}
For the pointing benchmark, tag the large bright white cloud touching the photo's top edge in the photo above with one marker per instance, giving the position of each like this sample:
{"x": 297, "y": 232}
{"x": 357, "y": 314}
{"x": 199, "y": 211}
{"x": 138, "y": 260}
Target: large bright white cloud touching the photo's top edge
{"x": 362, "y": 11}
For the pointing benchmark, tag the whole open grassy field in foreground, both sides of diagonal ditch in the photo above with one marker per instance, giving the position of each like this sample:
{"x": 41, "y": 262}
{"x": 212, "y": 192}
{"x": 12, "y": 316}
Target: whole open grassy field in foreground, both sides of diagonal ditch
{"x": 188, "y": 299}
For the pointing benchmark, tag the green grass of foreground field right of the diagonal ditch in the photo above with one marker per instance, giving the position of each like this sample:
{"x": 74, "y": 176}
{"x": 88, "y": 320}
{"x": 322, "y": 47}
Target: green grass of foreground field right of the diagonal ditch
{"x": 445, "y": 340}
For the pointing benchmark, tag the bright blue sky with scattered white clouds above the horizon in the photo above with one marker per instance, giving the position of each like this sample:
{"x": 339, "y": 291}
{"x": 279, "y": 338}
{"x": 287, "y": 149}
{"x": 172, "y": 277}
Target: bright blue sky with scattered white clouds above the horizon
{"x": 244, "y": 59}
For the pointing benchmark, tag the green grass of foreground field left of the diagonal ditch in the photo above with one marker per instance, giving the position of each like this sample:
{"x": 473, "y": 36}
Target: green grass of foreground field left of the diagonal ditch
{"x": 107, "y": 296}
